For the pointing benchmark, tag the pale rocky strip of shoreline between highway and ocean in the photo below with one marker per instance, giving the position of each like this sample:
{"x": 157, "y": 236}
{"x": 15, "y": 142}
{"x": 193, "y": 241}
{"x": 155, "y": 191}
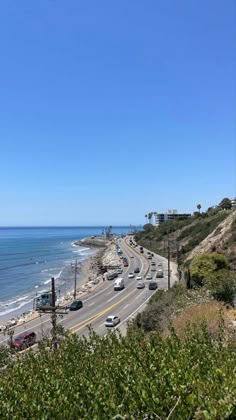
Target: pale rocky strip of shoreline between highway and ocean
{"x": 88, "y": 280}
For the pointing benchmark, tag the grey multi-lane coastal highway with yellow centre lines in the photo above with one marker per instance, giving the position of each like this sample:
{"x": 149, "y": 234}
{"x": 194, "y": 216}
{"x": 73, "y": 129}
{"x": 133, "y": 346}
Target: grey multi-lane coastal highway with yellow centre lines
{"x": 104, "y": 301}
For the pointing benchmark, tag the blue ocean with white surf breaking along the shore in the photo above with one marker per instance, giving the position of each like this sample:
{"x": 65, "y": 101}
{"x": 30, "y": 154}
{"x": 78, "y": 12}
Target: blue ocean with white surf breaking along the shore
{"x": 30, "y": 256}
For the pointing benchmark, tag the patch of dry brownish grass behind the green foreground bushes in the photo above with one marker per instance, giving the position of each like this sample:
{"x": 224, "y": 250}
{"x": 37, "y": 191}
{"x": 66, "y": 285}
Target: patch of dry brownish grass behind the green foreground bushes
{"x": 208, "y": 312}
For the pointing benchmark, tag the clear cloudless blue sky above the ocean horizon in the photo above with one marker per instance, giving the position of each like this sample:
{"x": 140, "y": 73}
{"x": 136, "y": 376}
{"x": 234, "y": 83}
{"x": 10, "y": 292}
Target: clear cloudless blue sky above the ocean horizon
{"x": 110, "y": 109}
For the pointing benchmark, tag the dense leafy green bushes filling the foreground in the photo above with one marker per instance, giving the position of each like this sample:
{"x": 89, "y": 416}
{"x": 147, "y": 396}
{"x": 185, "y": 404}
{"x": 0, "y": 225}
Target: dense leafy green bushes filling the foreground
{"x": 135, "y": 377}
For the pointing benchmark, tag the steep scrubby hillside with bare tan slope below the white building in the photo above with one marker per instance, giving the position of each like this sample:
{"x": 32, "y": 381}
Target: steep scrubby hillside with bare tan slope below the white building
{"x": 205, "y": 232}
